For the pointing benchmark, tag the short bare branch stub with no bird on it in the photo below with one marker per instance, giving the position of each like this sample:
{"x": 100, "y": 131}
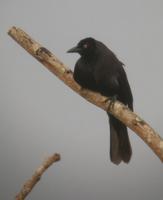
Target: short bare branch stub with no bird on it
{"x": 28, "y": 186}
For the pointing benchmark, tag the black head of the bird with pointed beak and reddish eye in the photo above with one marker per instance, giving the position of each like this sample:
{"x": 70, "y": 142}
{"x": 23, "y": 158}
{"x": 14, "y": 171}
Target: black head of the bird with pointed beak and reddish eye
{"x": 85, "y": 47}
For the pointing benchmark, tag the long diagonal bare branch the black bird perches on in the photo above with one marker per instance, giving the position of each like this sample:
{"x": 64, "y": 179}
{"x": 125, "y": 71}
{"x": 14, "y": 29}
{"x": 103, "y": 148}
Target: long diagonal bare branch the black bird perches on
{"x": 120, "y": 111}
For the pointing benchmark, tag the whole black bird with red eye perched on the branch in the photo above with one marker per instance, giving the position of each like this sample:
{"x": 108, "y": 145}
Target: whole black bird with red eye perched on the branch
{"x": 99, "y": 69}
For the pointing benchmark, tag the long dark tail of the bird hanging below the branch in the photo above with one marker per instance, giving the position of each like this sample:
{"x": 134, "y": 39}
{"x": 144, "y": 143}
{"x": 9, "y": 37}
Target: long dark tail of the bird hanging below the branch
{"x": 120, "y": 148}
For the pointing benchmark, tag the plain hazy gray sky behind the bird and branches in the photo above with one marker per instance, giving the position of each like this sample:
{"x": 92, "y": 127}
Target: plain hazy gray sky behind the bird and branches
{"x": 40, "y": 115}
